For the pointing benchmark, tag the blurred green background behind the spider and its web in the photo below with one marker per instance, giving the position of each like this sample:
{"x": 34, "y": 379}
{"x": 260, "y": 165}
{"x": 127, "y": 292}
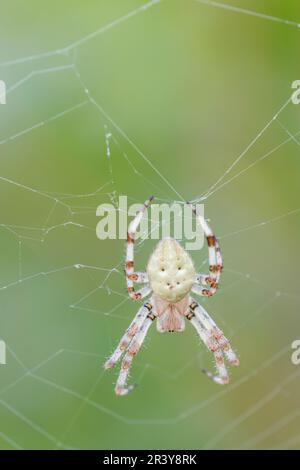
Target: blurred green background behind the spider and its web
{"x": 190, "y": 85}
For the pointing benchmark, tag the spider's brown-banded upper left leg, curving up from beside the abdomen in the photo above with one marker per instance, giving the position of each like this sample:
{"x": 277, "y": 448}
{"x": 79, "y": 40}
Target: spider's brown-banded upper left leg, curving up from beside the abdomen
{"x": 131, "y": 275}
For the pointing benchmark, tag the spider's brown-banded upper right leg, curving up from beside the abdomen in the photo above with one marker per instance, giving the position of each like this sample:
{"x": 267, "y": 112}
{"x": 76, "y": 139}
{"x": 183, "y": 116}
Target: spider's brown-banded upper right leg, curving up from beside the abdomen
{"x": 210, "y": 280}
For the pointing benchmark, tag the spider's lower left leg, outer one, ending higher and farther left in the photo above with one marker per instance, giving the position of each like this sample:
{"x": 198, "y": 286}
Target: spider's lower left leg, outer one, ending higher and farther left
{"x": 131, "y": 331}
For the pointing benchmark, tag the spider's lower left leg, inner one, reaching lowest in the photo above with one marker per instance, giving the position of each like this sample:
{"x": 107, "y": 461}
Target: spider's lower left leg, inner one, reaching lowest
{"x": 121, "y": 388}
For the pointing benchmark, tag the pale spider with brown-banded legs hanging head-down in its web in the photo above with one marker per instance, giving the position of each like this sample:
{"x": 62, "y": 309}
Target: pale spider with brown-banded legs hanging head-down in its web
{"x": 170, "y": 277}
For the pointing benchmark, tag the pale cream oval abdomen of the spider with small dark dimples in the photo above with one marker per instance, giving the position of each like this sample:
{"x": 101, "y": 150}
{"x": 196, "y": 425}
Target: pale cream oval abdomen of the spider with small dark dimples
{"x": 171, "y": 271}
